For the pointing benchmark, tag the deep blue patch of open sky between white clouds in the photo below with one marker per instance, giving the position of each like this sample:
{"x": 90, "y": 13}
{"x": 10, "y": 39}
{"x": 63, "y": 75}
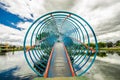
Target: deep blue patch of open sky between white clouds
{"x": 11, "y": 20}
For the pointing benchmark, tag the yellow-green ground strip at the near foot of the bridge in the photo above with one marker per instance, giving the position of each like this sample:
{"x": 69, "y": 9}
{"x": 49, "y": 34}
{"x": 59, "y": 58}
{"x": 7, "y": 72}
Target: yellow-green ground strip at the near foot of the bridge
{"x": 62, "y": 78}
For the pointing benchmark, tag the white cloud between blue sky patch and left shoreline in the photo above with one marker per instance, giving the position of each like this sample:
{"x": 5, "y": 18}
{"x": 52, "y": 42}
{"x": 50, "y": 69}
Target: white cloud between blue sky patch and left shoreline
{"x": 10, "y": 35}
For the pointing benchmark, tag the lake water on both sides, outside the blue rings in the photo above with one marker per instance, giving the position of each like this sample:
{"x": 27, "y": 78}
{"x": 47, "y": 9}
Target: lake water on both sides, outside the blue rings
{"x": 13, "y": 66}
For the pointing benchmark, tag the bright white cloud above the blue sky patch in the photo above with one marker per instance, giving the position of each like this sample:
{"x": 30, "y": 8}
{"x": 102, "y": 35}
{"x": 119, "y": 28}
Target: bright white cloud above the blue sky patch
{"x": 25, "y": 7}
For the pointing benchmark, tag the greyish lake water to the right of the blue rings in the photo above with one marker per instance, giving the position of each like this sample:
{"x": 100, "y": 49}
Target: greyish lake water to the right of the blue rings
{"x": 105, "y": 68}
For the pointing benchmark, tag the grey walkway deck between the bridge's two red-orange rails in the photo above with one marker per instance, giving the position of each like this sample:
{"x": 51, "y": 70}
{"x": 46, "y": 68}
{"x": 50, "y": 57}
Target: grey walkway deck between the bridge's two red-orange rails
{"x": 59, "y": 66}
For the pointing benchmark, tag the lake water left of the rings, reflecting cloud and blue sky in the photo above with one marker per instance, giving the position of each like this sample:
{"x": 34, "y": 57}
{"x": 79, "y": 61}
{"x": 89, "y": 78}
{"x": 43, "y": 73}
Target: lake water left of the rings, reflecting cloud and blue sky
{"x": 14, "y": 64}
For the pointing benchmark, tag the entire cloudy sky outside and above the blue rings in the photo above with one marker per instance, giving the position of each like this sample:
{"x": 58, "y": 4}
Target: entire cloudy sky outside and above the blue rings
{"x": 17, "y": 15}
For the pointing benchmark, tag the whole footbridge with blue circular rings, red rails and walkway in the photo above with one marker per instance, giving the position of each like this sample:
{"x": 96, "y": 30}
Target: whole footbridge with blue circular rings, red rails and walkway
{"x": 60, "y": 44}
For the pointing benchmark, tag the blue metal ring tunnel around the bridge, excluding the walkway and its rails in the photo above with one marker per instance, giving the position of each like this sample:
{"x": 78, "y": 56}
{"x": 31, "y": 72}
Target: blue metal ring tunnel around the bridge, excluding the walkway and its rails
{"x": 65, "y": 27}
